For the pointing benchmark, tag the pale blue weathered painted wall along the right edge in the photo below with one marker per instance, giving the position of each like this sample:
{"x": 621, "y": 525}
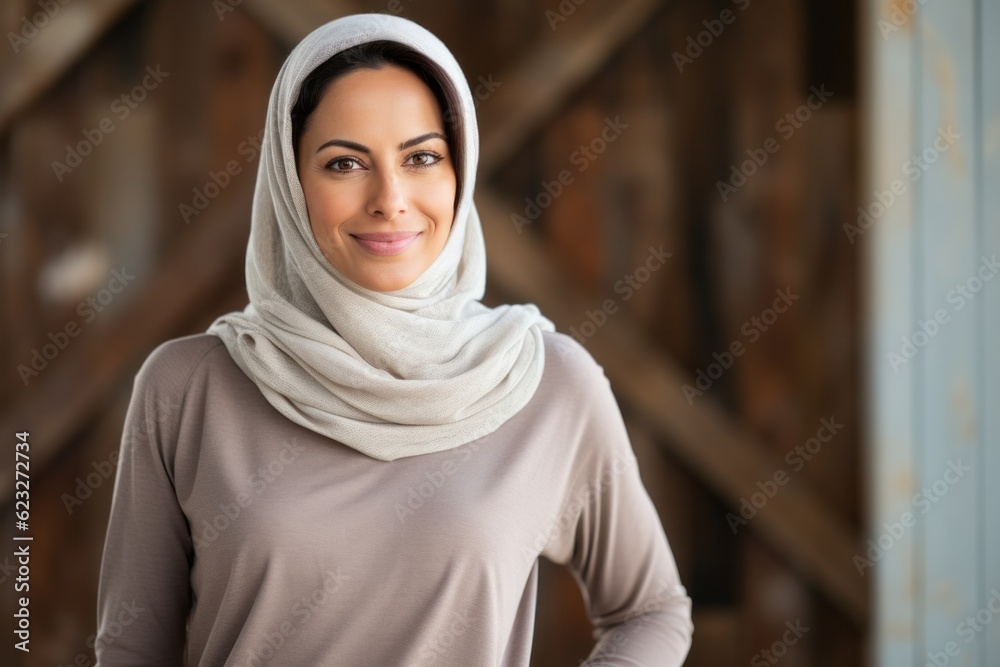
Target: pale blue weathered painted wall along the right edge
{"x": 931, "y": 193}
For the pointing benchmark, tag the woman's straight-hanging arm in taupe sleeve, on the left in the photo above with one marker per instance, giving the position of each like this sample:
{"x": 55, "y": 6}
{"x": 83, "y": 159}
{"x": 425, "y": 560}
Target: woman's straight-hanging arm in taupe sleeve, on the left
{"x": 144, "y": 590}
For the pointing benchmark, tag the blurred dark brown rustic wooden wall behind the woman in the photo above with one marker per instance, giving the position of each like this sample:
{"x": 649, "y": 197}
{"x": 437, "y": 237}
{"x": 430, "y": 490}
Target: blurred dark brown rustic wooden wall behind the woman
{"x": 688, "y": 125}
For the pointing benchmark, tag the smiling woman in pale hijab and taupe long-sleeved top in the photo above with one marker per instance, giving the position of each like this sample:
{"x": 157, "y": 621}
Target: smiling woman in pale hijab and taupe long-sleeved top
{"x": 363, "y": 467}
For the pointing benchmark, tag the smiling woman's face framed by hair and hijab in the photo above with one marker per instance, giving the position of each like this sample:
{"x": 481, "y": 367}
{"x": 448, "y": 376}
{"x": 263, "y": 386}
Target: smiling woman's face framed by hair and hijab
{"x": 378, "y": 178}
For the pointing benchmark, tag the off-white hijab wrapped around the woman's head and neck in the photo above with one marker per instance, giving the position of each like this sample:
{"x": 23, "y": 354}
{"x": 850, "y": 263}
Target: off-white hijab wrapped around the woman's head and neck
{"x": 391, "y": 374}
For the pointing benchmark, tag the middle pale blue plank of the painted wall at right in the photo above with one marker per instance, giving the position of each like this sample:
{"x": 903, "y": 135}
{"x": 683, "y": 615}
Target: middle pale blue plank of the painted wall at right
{"x": 948, "y": 397}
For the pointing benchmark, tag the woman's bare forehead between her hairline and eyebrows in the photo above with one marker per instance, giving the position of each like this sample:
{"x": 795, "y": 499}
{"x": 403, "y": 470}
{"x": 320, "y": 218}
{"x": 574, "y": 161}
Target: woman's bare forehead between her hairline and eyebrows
{"x": 373, "y": 101}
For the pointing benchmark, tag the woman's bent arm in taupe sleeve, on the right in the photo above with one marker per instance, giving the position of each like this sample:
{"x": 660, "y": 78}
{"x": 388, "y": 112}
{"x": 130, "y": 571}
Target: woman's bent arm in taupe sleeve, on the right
{"x": 615, "y": 546}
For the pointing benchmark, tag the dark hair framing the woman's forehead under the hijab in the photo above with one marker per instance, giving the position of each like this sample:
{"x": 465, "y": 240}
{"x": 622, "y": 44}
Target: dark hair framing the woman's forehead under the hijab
{"x": 377, "y": 55}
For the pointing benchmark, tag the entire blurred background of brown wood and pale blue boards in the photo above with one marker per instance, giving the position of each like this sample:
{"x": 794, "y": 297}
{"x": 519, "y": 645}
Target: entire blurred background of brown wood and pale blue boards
{"x": 807, "y": 379}
